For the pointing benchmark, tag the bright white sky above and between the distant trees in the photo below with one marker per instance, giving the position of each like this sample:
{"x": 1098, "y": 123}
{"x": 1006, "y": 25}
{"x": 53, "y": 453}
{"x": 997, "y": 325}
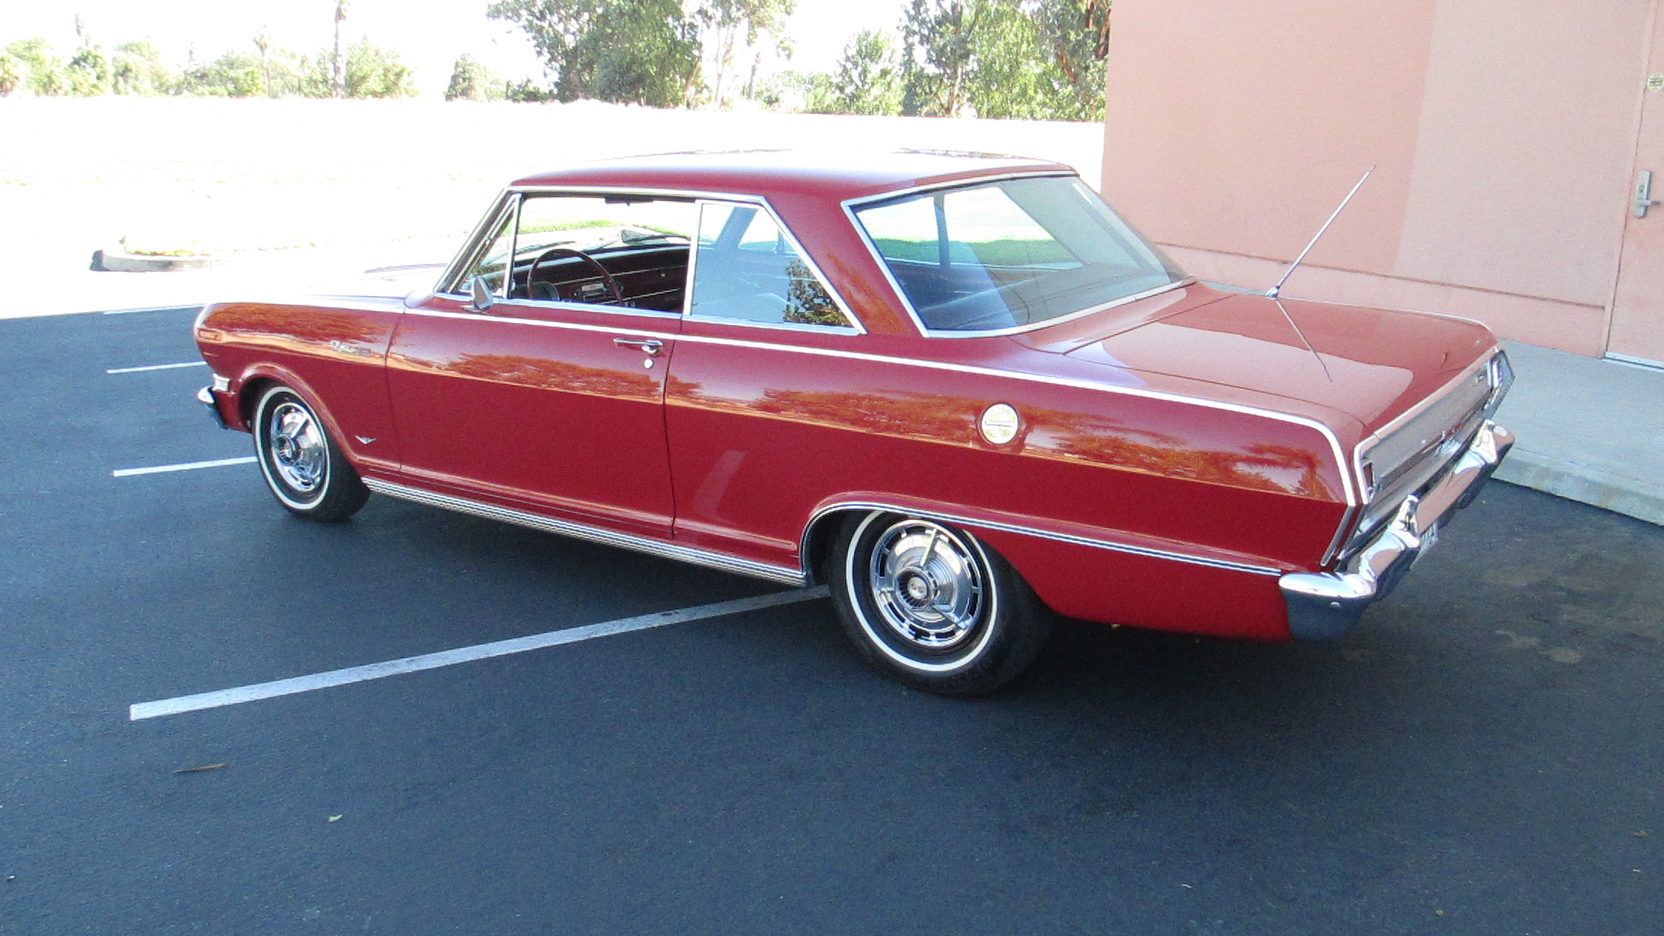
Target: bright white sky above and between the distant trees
{"x": 427, "y": 36}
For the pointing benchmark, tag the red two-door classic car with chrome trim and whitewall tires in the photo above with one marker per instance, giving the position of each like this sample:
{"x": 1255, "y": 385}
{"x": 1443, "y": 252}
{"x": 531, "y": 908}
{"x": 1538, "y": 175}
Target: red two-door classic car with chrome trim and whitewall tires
{"x": 956, "y": 389}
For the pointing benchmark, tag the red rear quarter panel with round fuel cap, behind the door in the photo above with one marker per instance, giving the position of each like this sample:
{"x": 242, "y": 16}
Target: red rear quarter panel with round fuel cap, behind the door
{"x": 770, "y": 431}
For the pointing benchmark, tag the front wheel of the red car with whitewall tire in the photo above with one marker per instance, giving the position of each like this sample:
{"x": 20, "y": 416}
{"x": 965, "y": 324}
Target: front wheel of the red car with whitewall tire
{"x": 304, "y": 467}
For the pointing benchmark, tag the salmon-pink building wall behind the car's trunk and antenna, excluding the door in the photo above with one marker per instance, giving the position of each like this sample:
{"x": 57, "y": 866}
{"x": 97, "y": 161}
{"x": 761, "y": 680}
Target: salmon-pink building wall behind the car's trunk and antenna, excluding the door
{"x": 1503, "y": 132}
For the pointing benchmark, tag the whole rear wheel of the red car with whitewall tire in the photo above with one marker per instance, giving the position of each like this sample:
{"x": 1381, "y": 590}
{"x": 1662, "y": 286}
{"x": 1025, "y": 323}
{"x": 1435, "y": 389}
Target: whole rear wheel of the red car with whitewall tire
{"x": 933, "y": 605}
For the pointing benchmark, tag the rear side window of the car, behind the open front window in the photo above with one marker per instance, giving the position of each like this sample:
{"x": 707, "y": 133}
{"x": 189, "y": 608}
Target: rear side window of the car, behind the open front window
{"x": 748, "y": 271}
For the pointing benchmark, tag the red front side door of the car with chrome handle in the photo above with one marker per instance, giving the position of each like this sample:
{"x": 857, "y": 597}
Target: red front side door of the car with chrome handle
{"x": 553, "y": 402}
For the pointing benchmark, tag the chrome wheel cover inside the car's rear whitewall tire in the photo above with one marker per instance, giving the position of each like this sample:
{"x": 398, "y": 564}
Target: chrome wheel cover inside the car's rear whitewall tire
{"x": 926, "y": 585}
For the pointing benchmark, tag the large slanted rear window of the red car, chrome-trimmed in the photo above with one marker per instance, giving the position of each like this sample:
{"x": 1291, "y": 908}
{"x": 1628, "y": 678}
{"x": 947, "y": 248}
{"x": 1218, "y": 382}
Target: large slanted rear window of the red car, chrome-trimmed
{"x": 1011, "y": 254}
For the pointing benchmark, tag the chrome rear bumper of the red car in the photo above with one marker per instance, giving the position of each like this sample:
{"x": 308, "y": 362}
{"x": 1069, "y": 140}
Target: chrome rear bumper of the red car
{"x": 1327, "y": 605}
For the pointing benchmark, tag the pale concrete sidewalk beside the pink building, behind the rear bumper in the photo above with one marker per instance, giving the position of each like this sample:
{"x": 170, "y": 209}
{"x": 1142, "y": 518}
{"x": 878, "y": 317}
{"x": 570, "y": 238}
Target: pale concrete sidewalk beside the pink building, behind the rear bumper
{"x": 1590, "y": 431}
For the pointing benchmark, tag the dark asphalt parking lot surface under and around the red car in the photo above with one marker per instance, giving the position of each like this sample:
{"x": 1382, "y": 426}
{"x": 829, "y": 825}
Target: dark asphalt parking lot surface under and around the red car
{"x": 1485, "y": 757}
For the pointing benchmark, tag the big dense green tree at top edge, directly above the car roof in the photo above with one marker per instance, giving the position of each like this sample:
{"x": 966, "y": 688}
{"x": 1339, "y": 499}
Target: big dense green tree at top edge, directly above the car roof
{"x": 613, "y": 51}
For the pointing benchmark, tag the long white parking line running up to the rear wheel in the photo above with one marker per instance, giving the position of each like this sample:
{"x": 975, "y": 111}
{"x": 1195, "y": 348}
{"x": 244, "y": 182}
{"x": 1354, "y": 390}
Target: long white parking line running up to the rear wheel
{"x": 463, "y": 655}
